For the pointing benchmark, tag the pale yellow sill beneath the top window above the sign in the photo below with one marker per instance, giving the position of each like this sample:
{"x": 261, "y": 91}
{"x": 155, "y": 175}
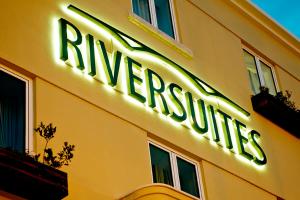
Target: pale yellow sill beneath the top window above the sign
{"x": 186, "y": 52}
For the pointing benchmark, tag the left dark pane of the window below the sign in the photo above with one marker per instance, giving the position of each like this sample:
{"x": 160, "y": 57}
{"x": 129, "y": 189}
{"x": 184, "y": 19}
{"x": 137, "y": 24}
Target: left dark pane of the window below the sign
{"x": 161, "y": 166}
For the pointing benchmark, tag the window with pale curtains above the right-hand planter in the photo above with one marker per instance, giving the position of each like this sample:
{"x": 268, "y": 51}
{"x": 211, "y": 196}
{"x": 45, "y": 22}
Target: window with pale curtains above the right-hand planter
{"x": 260, "y": 74}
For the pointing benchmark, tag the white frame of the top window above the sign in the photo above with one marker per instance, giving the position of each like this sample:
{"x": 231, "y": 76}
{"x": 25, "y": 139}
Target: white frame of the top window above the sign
{"x": 153, "y": 18}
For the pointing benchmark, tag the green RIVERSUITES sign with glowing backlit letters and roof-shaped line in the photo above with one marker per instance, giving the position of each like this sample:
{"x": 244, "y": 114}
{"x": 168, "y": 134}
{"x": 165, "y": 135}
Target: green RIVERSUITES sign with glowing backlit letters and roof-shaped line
{"x": 128, "y": 67}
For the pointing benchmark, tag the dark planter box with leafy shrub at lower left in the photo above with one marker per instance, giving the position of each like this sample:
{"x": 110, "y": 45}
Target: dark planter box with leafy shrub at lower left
{"x": 24, "y": 176}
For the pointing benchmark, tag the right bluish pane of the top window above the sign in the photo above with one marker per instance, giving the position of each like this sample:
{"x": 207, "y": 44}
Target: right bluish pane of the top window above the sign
{"x": 164, "y": 17}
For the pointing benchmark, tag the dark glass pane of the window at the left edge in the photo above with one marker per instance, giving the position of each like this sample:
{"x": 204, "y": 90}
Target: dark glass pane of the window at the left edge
{"x": 12, "y": 112}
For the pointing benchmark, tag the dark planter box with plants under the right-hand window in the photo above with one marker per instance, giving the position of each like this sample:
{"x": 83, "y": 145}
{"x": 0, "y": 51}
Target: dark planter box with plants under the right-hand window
{"x": 279, "y": 109}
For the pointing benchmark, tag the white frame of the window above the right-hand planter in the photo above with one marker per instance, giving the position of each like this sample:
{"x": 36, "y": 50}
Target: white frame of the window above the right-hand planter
{"x": 258, "y": 59}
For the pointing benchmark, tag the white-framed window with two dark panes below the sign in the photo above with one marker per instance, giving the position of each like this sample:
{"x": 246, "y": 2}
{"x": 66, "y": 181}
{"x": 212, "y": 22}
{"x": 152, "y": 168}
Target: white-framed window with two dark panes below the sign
{"x": 174, "y": 170}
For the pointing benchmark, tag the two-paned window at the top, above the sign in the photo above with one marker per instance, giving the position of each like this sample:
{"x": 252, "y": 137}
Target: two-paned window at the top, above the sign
{"x": 159, "y": 13}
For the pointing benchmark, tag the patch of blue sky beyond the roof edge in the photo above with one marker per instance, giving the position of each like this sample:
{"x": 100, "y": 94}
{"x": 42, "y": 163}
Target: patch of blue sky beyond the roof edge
{"x": 285, "y": 12}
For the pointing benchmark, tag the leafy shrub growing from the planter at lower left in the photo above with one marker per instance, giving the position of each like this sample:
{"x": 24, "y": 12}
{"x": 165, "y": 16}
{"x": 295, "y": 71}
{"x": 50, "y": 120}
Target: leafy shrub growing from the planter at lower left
{"x": 49, "y": 158}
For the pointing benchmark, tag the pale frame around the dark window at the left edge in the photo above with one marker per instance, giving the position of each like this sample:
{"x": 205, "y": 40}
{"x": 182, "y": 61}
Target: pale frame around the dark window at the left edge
{"x": 28, "y": 107}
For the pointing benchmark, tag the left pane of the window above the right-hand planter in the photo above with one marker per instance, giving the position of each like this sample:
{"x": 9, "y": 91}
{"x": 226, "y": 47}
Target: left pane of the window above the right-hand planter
{"x": 252, "y": 72}
